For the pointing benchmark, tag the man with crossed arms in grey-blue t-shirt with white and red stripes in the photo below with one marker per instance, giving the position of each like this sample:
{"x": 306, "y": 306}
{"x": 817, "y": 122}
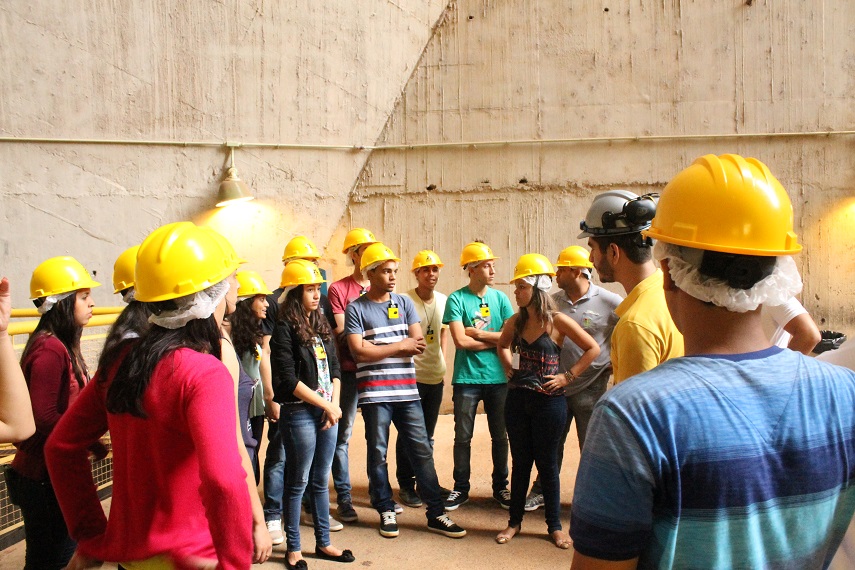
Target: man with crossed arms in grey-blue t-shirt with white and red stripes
{"x": 384, "y": 334}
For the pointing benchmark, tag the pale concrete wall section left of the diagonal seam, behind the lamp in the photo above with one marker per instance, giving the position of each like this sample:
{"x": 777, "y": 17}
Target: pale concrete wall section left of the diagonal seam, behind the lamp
{"x": 282, "y": 71}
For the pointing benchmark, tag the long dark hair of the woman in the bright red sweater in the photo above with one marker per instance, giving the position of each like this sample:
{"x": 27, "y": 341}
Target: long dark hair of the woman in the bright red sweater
{"x": 126, "y": 392}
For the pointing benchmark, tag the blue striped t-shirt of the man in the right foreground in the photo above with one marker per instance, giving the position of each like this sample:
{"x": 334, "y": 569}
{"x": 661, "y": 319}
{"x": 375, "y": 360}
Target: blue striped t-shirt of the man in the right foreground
{"x": 743, "y": 461}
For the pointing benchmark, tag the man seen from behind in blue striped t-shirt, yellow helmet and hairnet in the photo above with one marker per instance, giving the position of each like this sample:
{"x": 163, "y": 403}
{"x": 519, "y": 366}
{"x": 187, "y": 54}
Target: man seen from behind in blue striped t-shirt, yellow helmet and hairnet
{"x": 739, "y": 454}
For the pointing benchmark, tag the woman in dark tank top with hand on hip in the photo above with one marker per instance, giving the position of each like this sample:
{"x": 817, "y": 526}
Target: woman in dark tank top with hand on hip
{"x": 536, "y": 409}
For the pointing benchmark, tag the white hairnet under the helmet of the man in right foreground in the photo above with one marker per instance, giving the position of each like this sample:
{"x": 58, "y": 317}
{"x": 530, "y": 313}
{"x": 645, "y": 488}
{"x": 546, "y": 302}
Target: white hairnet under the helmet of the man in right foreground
{"x": 684, "y": 266}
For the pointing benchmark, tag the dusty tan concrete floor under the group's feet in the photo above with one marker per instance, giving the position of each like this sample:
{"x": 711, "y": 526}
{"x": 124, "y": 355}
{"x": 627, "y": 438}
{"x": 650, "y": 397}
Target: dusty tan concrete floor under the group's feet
{"x": 416, "y": 548}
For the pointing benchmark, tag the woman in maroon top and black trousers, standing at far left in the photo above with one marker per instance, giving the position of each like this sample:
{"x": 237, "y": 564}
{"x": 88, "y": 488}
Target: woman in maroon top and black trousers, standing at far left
{"x": 56, "y": 372}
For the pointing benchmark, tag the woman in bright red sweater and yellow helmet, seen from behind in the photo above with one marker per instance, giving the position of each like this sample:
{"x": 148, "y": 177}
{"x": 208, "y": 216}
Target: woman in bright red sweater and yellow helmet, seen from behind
{"x": 180, "y": 496}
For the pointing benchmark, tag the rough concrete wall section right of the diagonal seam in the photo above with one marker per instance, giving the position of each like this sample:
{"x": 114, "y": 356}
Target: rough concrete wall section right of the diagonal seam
{"x": 544, "y": 69}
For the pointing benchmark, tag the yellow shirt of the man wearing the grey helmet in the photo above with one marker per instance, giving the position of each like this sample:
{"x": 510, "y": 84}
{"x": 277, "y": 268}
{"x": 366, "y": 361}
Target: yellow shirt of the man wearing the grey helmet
{"x": 645, "y": 336}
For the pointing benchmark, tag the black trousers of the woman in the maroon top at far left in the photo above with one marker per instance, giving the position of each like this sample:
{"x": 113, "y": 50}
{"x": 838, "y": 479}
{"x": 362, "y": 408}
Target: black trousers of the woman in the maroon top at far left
{"x": 48, "y": 545}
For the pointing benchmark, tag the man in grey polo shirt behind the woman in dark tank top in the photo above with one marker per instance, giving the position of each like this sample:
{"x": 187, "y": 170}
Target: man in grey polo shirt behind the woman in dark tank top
{"x": 594, "y": 309}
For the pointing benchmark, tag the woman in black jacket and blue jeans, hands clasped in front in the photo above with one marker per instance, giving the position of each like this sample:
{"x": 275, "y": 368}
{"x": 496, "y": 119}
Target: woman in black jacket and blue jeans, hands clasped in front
{"x": 306, "y": 381}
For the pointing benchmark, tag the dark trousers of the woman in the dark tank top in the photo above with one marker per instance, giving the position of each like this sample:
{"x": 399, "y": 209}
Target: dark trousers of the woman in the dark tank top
{"x": 535, "y": 424}
